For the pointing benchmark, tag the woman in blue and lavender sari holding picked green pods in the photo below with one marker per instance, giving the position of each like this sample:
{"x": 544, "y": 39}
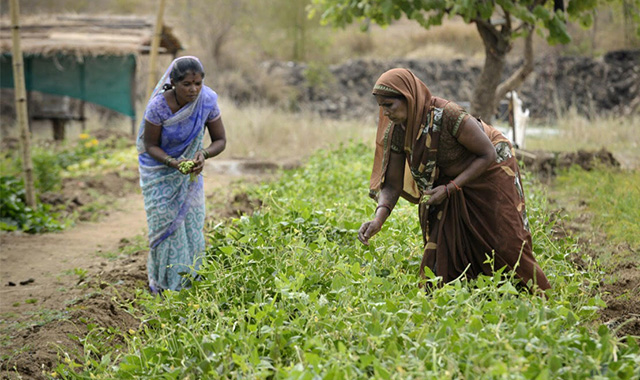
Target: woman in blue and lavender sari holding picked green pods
{"x": 180, "y": 109}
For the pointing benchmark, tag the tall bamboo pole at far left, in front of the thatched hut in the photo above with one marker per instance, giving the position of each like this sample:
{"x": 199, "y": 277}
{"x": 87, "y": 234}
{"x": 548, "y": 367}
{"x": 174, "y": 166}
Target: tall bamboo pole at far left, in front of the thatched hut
{"x": 21, "y": 105}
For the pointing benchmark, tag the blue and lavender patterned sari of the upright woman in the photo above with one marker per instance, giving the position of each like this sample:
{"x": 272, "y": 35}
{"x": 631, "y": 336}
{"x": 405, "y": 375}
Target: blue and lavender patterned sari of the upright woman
{"x": 173, "y": 203}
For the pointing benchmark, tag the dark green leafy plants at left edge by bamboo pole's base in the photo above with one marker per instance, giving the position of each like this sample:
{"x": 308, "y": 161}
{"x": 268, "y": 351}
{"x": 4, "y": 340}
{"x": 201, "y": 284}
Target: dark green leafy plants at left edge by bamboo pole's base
{"x": 14, "y": 213}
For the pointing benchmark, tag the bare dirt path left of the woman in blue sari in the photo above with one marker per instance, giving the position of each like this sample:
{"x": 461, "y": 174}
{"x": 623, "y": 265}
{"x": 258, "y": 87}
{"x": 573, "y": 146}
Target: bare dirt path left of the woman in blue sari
{"x": 39, "y": 266}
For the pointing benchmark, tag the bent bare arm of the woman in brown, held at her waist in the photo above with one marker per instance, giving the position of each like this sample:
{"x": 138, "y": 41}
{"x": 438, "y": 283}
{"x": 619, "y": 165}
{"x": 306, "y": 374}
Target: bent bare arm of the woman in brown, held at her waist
{"x": 473, "y": 138}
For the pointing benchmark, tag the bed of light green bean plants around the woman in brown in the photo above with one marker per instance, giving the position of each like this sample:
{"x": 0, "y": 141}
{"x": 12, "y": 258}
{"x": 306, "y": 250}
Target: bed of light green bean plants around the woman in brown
{"x": 289, "y": 292}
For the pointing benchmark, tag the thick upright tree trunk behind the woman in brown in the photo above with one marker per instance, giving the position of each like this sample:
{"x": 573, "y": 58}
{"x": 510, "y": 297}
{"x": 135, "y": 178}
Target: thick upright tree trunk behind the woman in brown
{"x": 497, "y": 45}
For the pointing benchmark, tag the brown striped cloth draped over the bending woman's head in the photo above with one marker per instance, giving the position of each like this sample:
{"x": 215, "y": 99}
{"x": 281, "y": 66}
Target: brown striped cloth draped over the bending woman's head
{"x": 401, "y": 83}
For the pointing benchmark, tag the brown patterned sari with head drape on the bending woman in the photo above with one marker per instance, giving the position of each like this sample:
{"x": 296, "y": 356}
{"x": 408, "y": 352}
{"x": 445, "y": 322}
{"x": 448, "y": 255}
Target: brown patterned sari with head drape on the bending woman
{"x": 486, "y": 219}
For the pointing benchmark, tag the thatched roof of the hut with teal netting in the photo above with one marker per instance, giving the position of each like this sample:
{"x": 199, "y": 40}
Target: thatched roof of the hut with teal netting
{"x": 83, "y": 35}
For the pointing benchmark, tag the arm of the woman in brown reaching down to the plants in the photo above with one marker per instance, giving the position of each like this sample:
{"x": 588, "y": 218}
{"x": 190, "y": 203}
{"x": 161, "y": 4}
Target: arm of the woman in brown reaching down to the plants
{"x": 389, "y": 194}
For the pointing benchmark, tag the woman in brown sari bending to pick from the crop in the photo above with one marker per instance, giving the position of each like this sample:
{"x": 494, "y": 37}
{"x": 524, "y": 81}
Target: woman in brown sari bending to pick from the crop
{"x": 463, "y": 174}
